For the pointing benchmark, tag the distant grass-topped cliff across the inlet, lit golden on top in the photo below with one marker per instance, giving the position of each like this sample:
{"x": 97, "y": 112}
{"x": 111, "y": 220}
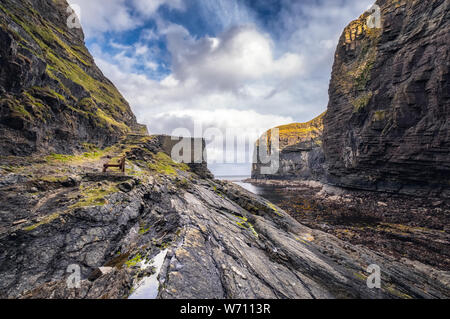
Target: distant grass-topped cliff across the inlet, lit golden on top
{"x": 300, "y": 151}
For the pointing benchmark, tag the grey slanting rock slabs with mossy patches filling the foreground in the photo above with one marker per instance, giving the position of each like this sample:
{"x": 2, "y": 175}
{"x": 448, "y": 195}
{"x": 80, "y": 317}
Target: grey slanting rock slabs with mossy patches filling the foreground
{"x": 222, "y": 241}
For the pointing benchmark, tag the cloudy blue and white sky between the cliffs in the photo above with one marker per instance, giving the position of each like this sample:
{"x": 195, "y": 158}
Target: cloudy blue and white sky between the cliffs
{"x": 233, "y": 68}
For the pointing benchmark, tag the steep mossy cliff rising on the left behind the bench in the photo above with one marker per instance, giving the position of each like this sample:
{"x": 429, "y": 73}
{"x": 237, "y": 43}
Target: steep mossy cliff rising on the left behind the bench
{"x": 53, "y": 98}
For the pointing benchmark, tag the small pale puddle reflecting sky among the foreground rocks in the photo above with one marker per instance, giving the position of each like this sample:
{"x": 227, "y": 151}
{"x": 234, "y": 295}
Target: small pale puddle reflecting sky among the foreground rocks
{"x": 149, "y": 286}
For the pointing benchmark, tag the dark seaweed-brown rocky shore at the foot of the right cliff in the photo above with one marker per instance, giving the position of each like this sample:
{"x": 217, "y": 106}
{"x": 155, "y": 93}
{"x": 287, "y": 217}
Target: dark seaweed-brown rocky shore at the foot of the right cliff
{"x": 397, "y": 225}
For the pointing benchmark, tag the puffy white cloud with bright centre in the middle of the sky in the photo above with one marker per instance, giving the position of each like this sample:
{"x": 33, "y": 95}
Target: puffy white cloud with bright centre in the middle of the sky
{"x": 234, "y": 61}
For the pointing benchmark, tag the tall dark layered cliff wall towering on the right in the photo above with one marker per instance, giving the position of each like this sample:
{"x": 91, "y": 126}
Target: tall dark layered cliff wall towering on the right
{"x": 387, "y": 125}
